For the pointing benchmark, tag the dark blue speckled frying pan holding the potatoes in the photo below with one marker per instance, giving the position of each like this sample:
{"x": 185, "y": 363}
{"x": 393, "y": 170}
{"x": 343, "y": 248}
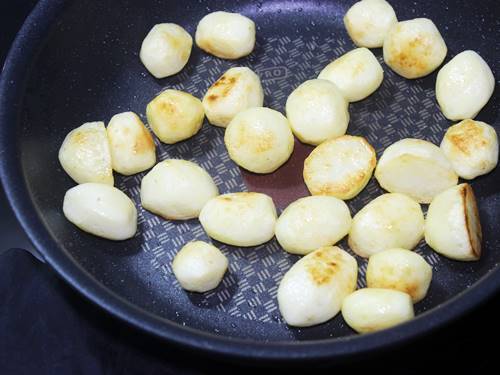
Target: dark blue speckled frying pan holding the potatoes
{"x": 77, "y": 61}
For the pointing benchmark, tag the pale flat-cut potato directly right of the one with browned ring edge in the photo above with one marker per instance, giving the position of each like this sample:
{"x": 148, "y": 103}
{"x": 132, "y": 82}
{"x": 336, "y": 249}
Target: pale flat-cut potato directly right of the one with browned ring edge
{"x": 415, "y": 167}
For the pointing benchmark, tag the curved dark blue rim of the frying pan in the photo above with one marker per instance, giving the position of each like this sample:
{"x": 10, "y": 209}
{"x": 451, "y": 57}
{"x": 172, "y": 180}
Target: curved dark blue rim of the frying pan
{"x": 16, "y": 69}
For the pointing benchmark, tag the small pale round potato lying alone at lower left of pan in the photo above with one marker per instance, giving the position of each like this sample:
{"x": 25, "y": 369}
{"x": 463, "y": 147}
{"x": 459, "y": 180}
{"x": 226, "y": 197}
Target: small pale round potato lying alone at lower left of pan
{"x": 199, "y": 266}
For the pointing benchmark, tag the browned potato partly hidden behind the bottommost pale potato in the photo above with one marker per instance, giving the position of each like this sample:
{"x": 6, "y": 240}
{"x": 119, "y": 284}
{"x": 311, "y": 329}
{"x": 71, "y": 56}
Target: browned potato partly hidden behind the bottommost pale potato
{"x": 399, "y": 269}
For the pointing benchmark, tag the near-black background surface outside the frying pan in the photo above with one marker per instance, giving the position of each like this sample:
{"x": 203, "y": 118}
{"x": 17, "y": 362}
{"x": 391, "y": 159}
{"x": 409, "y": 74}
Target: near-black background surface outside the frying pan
{"x": 46, "y": 328}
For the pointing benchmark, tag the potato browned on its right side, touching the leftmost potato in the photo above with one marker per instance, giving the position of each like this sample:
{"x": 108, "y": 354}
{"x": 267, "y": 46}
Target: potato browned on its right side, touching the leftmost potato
{"x": 131, "y": 145}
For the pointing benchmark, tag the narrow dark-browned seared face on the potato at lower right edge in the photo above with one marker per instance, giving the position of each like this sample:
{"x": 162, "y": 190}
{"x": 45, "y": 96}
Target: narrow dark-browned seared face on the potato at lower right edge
{"x": 472, "y": 223}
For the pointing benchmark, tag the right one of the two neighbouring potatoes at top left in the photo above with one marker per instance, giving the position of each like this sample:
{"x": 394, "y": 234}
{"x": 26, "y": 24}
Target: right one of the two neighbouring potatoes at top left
{"x": 226, "y": 35}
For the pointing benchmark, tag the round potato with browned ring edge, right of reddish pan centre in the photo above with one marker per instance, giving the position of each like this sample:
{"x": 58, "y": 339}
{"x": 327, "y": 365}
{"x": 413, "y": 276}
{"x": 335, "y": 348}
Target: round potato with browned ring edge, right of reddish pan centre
{"x": 340, "y": 167}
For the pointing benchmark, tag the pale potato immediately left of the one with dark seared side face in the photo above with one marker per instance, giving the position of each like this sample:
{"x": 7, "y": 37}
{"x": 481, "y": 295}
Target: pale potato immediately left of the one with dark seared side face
{"x": 389, "y": 221}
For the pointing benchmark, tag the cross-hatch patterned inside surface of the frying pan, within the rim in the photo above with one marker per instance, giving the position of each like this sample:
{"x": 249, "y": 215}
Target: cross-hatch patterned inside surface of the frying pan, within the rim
{"x": 89, "y": 70}
